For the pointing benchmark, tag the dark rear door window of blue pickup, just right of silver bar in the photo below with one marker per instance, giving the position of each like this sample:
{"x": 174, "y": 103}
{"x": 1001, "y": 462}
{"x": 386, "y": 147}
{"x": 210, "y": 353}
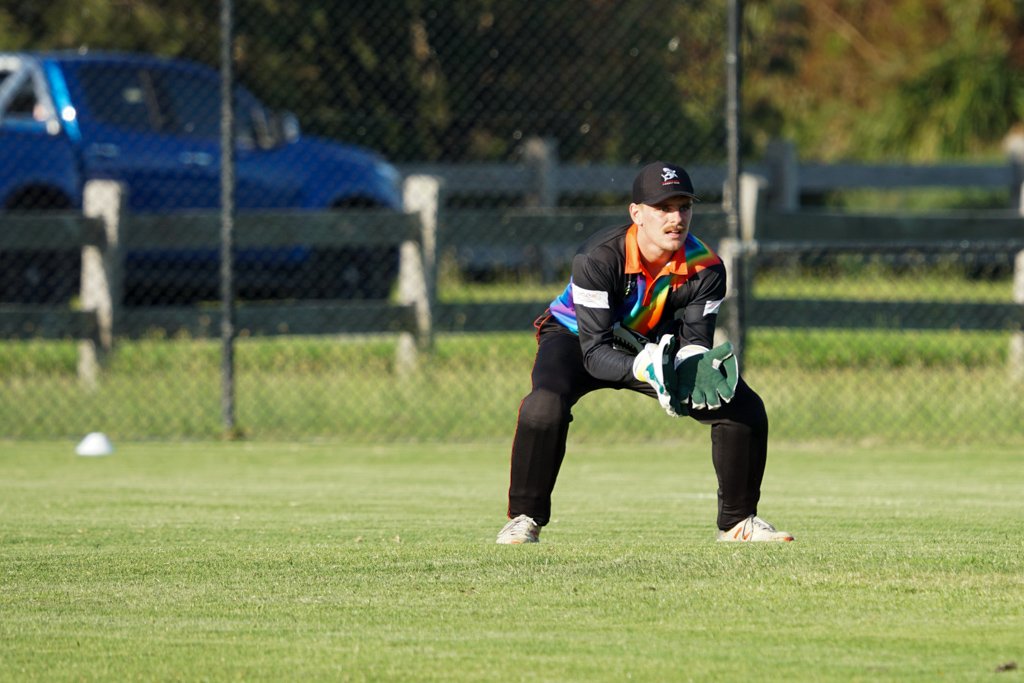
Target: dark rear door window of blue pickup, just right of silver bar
{"x": 120, "y": 97}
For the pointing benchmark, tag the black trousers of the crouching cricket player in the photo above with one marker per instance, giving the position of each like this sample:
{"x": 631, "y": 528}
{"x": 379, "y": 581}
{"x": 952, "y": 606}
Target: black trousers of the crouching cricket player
{"x": 739, "y": 434}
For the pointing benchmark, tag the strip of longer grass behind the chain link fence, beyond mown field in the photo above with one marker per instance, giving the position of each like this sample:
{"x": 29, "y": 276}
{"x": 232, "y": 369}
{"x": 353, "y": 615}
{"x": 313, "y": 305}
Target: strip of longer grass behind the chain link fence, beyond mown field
{"x": 906, "y": 388}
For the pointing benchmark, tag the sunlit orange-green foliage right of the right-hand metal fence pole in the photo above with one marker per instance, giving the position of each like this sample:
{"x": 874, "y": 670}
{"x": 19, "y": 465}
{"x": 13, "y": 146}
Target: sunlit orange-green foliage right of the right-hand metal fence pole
{"x": 911, "y": 79}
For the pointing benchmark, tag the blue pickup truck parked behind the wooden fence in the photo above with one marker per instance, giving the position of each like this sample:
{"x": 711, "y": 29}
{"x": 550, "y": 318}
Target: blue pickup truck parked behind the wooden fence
{"x": 154, "y": 124}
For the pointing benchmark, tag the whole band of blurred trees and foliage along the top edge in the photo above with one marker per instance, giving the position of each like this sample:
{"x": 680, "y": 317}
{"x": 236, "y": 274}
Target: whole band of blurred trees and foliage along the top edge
{"x": 472, "y": 80}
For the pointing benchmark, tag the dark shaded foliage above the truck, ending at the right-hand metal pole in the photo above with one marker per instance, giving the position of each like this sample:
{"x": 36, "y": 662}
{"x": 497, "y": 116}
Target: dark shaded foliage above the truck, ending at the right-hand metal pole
{"x": 426, "y": 80}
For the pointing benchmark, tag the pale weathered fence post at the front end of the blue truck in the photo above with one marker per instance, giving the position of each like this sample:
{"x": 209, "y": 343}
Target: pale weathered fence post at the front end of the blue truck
{"x": 418, "y": 268}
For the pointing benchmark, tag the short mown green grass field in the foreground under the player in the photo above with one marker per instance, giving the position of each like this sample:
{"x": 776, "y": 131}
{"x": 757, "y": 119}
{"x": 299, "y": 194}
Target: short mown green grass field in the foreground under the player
{"x": 322, "y": 562}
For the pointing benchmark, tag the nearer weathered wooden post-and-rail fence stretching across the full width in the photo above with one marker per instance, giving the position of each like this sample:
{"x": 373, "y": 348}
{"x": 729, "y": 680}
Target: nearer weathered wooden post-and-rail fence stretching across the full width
{"x": 106, "y": 233}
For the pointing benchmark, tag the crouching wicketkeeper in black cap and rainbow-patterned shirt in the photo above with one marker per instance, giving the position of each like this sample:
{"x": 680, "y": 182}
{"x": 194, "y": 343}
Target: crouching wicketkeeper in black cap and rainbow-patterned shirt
{"x": 639, "y": 314}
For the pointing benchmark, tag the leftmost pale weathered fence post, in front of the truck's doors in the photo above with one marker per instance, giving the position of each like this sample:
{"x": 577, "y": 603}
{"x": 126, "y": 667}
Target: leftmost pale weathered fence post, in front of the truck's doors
{"x": 102, "y": 284}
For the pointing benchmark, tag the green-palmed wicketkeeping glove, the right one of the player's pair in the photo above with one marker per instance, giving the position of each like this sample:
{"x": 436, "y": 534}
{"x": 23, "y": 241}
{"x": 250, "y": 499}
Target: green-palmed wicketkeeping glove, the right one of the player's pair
{"x": 708, "y": 377}
